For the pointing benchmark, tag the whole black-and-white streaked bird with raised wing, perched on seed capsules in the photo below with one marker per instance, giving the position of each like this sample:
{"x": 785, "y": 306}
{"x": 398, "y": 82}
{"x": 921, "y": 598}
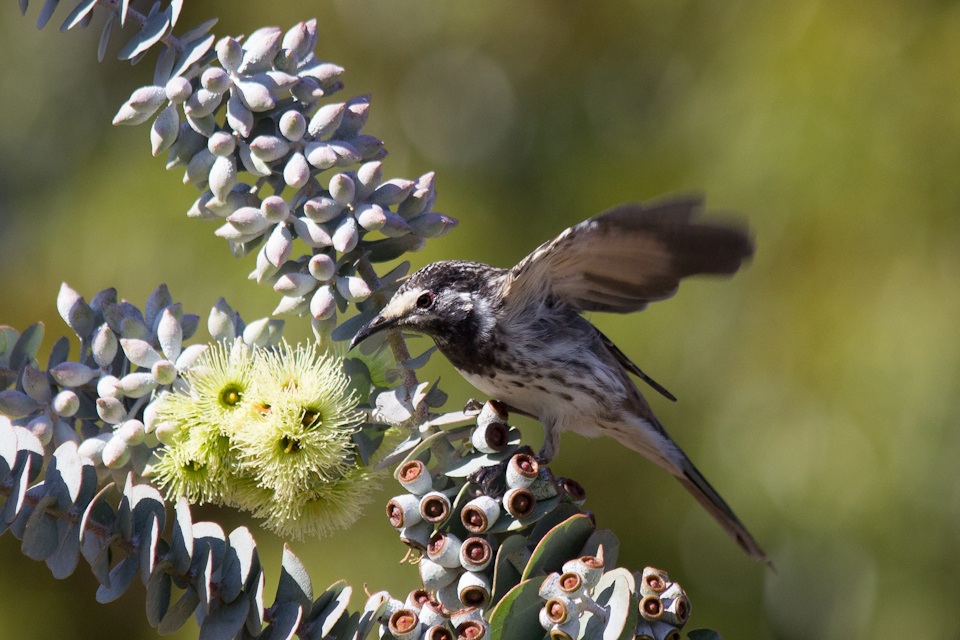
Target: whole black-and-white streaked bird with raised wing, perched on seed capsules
{"x": 519, "y": 335}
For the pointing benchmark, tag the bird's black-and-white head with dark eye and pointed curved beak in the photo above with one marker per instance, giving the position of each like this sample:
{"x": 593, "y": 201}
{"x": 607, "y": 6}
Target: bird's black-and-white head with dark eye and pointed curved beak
{"x": 441, "y": 300}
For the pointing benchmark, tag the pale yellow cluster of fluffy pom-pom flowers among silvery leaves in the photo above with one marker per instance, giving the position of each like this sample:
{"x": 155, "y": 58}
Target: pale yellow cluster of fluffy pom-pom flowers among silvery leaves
{"x": 268, "y": 431}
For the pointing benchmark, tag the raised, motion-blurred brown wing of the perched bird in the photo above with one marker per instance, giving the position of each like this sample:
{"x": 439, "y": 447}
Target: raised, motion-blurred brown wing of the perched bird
{"x": 629, "y": 256}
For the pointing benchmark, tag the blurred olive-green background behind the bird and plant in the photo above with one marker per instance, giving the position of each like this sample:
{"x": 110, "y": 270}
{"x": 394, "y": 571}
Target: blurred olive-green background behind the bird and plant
{"x": 819, "y": 389}
